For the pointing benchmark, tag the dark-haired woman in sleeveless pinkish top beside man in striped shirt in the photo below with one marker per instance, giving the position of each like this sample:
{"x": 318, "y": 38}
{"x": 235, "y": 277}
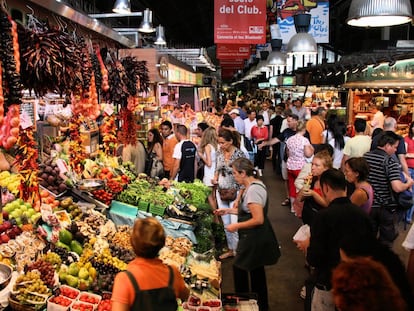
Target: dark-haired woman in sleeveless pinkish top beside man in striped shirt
{"x": 356, "y": 172}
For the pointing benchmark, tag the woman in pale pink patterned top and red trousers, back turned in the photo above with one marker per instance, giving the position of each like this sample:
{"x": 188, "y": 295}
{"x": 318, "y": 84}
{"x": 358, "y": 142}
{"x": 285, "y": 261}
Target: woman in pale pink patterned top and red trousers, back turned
{"x": 298, "y": 149}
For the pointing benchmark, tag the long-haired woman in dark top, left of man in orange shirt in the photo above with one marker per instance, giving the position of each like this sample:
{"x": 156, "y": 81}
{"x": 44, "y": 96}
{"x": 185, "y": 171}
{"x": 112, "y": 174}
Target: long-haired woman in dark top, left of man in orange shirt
{"x": 154, "y": 166}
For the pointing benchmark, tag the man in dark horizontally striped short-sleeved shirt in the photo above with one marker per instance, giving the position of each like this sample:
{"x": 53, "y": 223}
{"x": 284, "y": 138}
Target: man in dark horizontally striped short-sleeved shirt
{"x": 382, "y": 180}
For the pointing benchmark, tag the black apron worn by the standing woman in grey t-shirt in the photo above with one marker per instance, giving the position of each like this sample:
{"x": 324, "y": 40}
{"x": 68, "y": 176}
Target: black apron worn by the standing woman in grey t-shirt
{"x": 257, "y": 246}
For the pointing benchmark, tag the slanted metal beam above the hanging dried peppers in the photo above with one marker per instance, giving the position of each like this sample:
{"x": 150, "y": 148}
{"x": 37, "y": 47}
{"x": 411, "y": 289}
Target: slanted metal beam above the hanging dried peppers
{"x": 62, "y": 9}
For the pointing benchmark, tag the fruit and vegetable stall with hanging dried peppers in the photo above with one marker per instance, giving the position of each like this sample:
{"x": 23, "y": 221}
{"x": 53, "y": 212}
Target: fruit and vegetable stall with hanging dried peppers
{"x": 67, "y": 210}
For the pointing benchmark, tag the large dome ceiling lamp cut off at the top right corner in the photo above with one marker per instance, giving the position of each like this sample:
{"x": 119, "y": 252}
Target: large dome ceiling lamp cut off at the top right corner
{"x": 379, "y": 13}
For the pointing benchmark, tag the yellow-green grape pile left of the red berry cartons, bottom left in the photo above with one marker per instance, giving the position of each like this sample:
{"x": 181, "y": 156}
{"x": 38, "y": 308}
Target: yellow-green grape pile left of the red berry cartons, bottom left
{"x": 30, "y": 287}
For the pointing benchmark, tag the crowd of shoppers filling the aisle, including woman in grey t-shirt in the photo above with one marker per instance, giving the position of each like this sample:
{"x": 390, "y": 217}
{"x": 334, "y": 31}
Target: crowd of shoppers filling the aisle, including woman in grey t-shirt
{"x": 342, "y": 184}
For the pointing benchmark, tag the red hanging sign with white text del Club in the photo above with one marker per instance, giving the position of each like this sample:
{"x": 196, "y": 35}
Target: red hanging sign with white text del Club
{"x": 240, "y": 21}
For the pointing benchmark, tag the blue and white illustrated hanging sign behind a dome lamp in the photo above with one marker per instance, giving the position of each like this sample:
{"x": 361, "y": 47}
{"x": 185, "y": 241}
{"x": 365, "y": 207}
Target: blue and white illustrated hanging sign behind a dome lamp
{"x": 319, "y": 27}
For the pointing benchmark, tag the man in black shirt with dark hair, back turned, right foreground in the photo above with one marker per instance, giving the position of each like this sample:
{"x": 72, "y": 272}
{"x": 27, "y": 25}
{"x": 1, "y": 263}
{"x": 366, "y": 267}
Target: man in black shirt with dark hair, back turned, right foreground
{"x": 331, "y": 225}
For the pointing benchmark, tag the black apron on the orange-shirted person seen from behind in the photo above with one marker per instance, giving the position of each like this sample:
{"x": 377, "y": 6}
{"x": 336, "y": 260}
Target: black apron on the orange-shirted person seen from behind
{"x": 157, "y": 299}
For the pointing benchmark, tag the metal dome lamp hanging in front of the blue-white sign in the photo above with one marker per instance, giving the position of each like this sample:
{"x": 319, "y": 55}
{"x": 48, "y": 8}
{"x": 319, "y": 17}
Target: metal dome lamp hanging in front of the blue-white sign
{"x": 302, "y": 43}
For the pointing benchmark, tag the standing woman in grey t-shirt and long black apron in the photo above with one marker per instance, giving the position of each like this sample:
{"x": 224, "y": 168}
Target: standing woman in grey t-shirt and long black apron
{"x": 258, "y": 246}
